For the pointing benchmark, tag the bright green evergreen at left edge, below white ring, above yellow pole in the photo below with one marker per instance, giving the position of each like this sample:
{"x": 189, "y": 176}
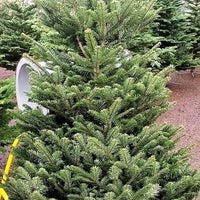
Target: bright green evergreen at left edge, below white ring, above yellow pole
{"x": 7, "y": 95}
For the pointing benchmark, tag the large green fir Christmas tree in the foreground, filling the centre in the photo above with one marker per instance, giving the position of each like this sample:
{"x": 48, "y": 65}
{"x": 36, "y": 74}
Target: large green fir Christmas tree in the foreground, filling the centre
{"x": 99, "y": 139}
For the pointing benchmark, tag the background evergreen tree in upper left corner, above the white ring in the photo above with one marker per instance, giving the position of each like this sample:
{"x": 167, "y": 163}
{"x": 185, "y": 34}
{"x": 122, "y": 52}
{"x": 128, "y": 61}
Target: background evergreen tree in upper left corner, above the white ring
{"x": 15, "y": 18}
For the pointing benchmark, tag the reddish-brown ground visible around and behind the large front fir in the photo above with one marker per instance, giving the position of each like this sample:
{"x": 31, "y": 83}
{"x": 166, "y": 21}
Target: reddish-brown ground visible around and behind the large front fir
{"x": 186, "y": 111}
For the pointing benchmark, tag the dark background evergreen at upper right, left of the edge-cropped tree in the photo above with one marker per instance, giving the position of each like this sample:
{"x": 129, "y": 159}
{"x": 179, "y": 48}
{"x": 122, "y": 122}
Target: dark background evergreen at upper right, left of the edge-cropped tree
{"x": 174, "y": 27}
